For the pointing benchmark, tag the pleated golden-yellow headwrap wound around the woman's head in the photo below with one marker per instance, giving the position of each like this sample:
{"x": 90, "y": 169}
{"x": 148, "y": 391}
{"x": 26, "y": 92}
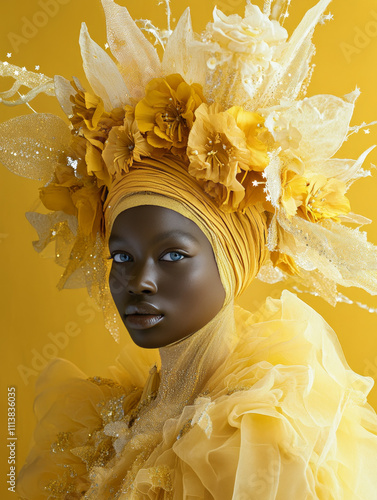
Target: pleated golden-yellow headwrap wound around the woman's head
{"x": 238, "y": 239}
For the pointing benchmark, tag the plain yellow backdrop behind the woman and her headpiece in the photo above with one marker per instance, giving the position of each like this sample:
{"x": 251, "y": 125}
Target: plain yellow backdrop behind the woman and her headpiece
{"x": 33, "y": 311}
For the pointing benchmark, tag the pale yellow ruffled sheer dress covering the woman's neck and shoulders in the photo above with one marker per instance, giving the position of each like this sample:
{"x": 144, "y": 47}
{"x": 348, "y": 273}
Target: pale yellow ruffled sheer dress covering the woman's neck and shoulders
{"x": 256, "y": 406}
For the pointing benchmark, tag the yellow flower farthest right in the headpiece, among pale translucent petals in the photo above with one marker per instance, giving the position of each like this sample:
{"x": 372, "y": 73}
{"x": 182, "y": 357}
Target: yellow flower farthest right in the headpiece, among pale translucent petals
{"x": 315, "y": 197}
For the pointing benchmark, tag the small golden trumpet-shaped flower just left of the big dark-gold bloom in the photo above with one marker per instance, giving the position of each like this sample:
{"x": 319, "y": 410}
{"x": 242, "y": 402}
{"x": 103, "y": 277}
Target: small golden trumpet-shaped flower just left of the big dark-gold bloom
{"x": 126, "y": 145}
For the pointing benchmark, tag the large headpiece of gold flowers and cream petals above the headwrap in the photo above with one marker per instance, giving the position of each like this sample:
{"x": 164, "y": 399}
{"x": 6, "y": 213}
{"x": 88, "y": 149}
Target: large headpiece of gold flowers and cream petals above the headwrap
{"x": 228, "y": 102}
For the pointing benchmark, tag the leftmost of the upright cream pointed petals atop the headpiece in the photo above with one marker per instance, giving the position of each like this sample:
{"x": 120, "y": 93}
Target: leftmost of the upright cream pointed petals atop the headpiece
{"x": 102, "y": 73}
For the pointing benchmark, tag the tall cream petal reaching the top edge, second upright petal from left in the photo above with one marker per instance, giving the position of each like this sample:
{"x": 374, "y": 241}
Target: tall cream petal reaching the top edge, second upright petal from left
{"x": 138, "y": 59}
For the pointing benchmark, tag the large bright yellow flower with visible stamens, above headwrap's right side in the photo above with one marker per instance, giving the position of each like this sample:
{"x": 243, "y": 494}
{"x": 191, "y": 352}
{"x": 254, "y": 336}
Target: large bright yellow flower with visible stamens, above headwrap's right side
{"x": 222, "y": 154}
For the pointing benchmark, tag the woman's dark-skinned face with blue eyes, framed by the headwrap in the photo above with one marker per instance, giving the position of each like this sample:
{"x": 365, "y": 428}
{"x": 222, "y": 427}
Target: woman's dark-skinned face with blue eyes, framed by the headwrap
{"x": 164, "y": 278}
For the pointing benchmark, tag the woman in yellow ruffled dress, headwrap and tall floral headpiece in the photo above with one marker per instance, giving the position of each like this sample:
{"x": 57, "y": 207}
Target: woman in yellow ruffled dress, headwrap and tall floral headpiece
{"x": 237, "y": 409}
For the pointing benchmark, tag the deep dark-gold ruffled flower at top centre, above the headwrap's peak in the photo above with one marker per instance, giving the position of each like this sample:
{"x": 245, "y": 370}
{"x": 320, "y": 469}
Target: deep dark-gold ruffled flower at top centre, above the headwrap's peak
{"x": 166, "y": 114}
